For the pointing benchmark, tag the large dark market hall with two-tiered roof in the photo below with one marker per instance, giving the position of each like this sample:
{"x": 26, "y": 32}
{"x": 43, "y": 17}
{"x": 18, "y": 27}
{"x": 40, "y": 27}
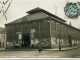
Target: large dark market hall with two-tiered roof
{"x": 41, "y": 27}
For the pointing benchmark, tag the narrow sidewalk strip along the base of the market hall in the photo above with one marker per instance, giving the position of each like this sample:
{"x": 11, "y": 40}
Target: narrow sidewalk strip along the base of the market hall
{"x": 53, "y": 49}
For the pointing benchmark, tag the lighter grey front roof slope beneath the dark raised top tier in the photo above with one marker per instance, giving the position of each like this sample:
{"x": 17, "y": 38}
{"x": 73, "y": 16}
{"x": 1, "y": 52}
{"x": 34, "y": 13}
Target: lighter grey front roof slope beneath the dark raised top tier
{"x": 31, "y": 17}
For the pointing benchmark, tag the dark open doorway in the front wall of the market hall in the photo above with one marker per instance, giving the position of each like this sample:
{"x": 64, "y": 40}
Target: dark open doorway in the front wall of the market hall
{"x": 26, "y": 40}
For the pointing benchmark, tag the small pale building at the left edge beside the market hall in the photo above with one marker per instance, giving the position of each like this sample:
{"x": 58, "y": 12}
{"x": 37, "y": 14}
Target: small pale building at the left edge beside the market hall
{"x": 2, "y": 37}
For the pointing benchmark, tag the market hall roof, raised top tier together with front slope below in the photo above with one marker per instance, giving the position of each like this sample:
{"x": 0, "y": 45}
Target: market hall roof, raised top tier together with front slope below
{"x": 35, "y": 14}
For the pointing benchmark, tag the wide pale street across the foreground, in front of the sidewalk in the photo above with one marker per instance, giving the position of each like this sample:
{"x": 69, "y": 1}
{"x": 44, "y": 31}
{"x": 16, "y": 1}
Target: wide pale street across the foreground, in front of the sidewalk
{"x": 74, "y": 53}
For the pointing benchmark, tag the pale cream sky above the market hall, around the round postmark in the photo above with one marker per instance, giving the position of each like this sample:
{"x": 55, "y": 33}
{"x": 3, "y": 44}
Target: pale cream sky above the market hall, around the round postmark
{"x": 18, "y": 9}
